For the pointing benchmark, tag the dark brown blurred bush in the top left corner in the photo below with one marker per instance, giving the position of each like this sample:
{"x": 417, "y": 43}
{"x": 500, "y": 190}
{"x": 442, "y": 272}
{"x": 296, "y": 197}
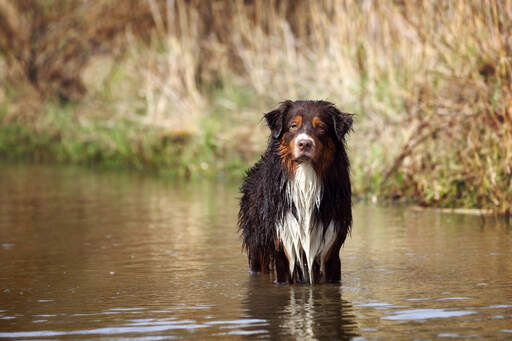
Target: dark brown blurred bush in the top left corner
{"x": 48, "y": 43}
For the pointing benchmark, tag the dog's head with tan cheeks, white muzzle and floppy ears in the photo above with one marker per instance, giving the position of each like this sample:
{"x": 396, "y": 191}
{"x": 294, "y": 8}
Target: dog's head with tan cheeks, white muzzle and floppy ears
{"x": 308, "y": 131}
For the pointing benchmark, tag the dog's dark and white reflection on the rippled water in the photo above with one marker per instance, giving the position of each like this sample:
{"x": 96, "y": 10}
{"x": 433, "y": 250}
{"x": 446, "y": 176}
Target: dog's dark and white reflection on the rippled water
{"x": 301, "y": 312}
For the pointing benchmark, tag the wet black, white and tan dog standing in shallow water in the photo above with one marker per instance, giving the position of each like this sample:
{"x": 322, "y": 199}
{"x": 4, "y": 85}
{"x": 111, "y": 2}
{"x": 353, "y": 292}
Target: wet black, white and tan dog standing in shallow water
{"x": 295, "y": 210}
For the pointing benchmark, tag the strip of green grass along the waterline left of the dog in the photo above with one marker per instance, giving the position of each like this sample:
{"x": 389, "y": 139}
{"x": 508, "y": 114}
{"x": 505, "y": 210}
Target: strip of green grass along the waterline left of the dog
{"x": 63, "y": 135}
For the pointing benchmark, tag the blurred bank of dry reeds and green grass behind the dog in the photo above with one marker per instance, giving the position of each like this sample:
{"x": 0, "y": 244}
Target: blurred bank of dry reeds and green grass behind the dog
{"x": 179, "y": 87}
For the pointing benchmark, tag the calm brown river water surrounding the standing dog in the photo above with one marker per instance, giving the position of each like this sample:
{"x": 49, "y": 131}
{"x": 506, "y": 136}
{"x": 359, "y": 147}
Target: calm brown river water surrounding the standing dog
{"x": 103, "y": 255}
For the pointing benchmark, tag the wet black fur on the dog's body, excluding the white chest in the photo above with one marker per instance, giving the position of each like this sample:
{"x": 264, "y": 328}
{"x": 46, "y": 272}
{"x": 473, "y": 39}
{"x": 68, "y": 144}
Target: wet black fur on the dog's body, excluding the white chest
{"x": 264, "y": 201}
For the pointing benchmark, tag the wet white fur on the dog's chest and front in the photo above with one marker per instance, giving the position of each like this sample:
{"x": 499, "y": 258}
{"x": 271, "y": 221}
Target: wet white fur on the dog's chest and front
{"x": 302, "y": 233}
